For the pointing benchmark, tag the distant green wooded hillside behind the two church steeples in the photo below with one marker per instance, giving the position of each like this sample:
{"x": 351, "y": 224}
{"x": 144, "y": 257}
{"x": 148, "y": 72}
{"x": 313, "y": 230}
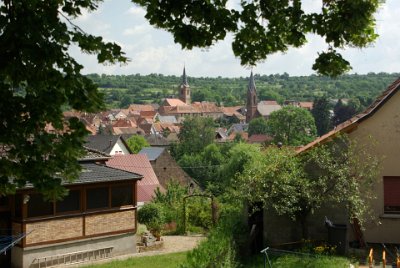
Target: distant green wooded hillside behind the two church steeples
{"x": 121, "y": 90}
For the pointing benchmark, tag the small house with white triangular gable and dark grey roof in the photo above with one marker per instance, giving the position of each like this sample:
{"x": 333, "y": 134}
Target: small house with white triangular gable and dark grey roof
{"x": 109, "y": 144}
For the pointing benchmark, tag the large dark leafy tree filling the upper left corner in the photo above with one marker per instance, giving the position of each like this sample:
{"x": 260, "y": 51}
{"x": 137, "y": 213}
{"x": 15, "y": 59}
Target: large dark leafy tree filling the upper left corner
{"x": 37, "y": 78}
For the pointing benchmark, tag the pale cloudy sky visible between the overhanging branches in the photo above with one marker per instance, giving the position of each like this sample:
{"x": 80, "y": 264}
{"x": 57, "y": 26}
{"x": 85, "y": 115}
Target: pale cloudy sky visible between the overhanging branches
{"x": 153, "y": 50}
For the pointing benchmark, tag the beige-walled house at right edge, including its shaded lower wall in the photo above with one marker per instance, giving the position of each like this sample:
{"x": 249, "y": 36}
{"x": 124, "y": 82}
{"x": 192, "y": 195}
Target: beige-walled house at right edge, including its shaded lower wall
{"x": 380, "y": 122}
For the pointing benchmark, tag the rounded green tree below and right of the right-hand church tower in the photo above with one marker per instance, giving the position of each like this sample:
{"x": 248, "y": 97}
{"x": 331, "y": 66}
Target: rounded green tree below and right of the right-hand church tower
{"x": 292, "y": 126}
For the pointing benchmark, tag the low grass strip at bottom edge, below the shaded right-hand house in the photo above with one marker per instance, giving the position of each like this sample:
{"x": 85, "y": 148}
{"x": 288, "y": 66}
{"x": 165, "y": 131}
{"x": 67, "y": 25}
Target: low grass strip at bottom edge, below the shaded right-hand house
{"x": 298, "y": 262}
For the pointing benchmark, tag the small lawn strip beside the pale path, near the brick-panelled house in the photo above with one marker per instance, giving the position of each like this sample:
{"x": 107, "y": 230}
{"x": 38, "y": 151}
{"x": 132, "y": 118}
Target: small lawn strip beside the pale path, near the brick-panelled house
{"x": 172, "y": 260}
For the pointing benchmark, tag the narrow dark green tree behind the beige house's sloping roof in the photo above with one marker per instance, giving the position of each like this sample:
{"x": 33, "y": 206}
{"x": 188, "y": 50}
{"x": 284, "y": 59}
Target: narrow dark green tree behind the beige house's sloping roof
{"x": 322, "y": 115}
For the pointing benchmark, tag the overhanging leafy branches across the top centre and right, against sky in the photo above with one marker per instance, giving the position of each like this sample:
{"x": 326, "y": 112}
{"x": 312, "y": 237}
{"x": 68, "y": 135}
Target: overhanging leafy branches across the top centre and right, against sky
{"x": 261, "y": 28}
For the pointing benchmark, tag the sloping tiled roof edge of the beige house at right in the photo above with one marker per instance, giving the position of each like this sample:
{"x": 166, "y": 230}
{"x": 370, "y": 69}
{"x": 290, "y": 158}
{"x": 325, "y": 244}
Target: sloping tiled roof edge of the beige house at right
{"x": 350, "y": 124}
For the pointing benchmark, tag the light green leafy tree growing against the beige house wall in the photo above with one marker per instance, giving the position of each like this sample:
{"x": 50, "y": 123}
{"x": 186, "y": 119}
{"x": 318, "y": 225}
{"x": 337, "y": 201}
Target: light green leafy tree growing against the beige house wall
{"x": 297, "y": 185}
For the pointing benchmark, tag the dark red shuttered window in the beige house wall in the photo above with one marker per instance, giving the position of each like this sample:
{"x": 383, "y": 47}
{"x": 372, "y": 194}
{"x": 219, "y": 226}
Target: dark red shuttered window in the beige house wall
{"x": 391, "y": 191}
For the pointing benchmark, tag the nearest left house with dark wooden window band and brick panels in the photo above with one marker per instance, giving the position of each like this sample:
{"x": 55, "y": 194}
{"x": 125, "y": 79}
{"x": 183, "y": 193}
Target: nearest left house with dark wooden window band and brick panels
{"x": 96, "y": 220}
